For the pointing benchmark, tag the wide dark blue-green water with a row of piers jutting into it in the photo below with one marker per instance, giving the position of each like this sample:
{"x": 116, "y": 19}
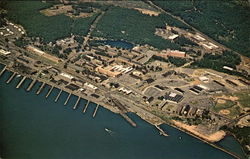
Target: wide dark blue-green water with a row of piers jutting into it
{"x": 33, "y": 127}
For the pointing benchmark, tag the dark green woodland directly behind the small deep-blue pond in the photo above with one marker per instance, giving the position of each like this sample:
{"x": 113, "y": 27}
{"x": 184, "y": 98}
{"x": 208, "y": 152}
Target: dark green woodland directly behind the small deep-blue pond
{"x": 134, "y": 27}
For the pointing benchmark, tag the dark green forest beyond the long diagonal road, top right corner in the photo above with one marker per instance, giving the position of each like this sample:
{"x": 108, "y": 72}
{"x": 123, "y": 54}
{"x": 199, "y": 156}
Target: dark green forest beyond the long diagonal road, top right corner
{"x": 225, "y": 21}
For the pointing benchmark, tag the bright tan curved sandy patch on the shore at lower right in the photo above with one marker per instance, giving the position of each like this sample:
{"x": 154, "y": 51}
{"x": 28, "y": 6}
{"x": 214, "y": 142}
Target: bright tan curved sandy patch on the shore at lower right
{"x": 217, "y": 136}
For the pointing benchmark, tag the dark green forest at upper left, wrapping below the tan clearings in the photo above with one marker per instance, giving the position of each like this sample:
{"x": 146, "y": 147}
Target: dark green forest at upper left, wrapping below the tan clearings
{"x": 50, "y": 29}
